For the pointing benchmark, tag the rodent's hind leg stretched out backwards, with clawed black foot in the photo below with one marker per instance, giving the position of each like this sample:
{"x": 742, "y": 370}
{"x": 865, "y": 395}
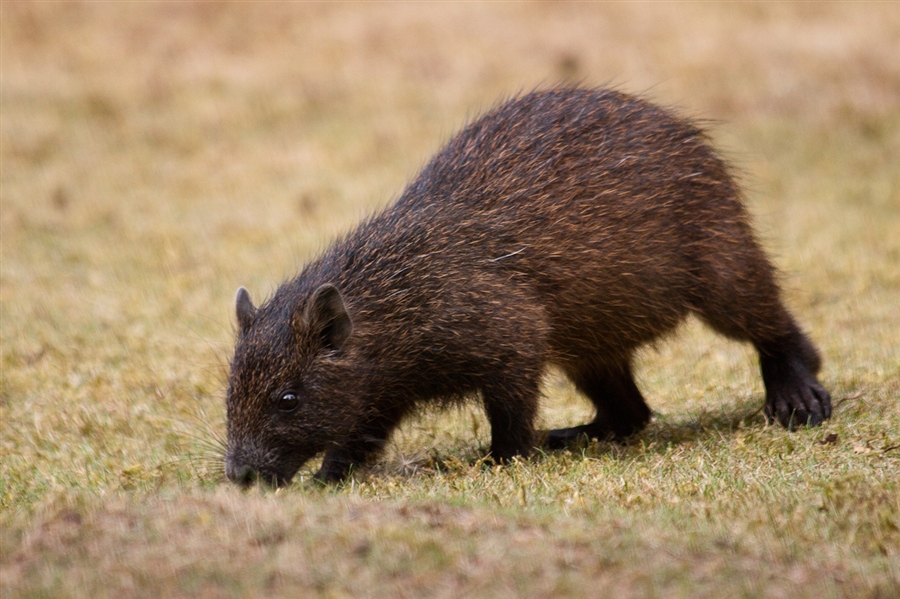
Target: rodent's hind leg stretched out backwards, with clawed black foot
{"x": 744, "y": 304}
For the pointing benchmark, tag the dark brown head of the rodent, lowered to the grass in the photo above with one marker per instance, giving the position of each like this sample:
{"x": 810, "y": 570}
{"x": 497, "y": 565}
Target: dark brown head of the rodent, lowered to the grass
{"x": 291, "y": 390}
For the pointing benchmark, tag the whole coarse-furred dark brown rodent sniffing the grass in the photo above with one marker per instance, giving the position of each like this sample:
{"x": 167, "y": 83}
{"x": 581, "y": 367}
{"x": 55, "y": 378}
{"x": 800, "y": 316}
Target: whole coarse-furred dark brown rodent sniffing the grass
{"x": 567, "y": 226}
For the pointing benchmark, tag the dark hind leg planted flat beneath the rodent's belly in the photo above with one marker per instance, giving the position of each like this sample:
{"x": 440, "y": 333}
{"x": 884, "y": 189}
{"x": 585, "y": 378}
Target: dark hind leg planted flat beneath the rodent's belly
{"x": 621, "y": 409}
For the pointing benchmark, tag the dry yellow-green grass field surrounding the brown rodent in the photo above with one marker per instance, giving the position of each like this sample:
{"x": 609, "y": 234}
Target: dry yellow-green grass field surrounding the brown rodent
{"x": 156, "y": 156}
